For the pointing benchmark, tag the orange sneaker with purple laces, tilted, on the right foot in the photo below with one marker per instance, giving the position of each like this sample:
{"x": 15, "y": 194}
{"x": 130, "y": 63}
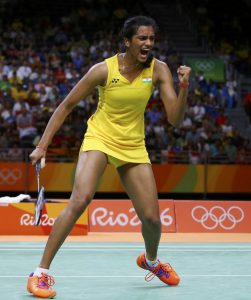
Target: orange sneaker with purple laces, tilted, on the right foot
{"x": 163, "y": 271}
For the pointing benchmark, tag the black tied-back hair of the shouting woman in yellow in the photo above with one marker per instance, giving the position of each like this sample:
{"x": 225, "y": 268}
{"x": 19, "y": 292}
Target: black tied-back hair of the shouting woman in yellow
{"x": 130, "y": 28}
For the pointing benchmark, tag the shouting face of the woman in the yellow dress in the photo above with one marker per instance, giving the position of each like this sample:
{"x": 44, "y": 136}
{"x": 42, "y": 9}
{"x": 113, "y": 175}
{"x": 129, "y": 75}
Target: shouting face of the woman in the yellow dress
{"x": 141, "y": 43}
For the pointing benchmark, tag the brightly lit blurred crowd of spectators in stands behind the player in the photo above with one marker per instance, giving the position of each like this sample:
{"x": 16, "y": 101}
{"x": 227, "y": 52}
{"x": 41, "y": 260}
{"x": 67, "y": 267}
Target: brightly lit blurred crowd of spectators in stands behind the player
{"x": 41, "y": 59}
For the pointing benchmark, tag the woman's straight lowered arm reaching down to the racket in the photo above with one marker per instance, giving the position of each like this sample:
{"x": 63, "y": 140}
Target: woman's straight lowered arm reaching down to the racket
{"x": 97, "y": 75}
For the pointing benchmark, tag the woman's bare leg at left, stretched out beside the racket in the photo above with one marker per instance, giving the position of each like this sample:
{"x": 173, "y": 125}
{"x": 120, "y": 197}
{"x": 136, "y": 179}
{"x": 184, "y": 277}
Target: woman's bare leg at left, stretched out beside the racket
{"x": 90, "y": 168}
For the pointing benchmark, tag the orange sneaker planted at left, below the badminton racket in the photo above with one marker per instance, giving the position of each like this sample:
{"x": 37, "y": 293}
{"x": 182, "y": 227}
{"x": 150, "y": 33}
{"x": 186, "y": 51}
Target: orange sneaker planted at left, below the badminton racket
{"x": 41, "y": 286}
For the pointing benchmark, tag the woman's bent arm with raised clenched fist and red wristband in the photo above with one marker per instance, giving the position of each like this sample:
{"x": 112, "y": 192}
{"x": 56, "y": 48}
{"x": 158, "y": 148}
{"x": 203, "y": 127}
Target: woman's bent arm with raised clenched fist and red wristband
{"x": 175, "y": 106}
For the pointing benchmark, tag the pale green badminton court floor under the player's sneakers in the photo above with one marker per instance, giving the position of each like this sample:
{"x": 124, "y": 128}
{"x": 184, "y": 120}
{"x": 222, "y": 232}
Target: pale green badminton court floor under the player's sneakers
{"x": 107, "y": 271}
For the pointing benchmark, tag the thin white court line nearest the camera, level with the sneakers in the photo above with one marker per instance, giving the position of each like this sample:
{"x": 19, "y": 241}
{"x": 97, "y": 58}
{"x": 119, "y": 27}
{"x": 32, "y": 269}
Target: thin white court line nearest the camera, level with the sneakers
{"x": 132, "y": 276}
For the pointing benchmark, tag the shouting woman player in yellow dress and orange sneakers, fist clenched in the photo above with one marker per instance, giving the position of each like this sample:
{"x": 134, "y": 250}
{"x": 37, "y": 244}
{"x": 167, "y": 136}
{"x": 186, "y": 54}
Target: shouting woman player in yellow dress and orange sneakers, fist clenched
{"x": 115, "y": 135}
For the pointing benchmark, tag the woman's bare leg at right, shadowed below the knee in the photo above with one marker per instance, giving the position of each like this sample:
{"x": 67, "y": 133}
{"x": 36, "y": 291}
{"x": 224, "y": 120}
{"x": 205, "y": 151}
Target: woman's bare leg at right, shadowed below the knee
{"x": 139, "y": 183}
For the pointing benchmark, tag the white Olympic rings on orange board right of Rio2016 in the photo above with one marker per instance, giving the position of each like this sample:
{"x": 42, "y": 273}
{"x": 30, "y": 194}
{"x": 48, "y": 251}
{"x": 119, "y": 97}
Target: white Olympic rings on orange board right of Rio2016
{"x": 218, "y": 216}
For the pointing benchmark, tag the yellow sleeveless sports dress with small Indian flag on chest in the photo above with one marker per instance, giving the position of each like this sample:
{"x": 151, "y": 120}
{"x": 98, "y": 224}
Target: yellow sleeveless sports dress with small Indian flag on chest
{"x": 117, "y": 127}
